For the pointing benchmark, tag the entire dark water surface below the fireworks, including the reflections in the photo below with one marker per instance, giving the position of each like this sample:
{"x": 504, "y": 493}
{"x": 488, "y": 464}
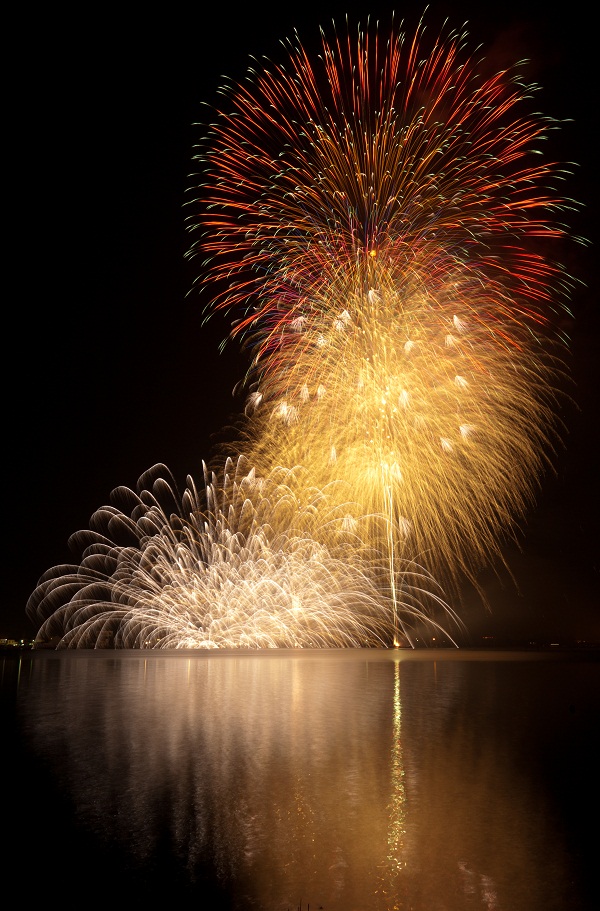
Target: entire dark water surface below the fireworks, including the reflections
{"x": 342, "y": 780}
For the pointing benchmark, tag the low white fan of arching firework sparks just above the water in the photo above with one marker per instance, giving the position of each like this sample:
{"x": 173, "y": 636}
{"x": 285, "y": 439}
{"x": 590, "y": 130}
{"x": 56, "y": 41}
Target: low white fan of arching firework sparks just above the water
{"x": 214, "y": 569}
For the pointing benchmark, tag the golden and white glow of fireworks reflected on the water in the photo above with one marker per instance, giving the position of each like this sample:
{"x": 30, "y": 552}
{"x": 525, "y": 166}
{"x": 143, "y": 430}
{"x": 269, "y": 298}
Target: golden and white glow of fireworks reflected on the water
{"x": 353, "y": 780}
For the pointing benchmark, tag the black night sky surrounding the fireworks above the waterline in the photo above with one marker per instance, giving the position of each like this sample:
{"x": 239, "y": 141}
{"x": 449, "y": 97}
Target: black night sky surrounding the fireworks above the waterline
{"x": 107, "y": 366}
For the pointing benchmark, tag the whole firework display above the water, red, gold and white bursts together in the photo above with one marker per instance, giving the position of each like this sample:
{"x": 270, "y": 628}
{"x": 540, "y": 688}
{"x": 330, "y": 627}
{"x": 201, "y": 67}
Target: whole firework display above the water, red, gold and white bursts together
{"x": 378, "y": 224}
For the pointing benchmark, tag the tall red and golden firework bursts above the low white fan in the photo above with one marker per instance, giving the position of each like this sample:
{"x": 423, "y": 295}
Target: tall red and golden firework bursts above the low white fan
{"x": 379, "y": 227}
